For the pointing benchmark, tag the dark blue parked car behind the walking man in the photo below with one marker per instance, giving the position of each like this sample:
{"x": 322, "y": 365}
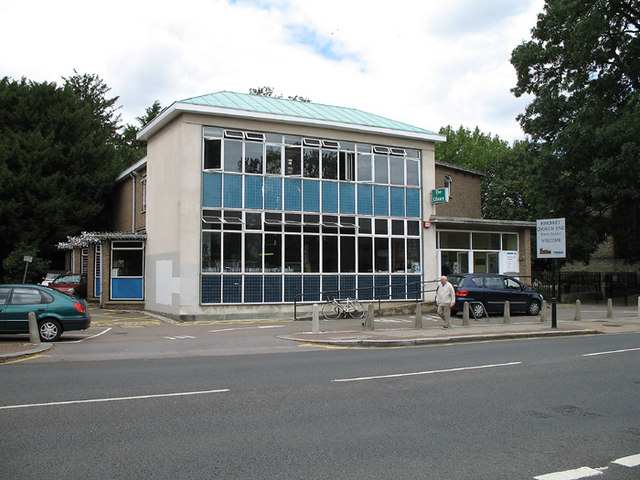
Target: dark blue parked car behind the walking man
{"x": 487, "y": 293}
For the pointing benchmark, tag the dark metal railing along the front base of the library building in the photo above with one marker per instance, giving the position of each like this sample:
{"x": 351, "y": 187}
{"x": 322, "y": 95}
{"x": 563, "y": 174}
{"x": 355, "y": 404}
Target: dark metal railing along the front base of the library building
{"x": 402, "y": 292}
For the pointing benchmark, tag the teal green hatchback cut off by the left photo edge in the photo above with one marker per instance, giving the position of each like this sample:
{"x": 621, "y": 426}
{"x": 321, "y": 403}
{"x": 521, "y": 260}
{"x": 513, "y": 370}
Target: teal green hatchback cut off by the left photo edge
{"x": 55, "y": 312}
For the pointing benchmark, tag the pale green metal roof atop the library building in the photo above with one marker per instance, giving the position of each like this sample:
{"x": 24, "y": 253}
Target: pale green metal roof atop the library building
{"x": 293, "y": 108}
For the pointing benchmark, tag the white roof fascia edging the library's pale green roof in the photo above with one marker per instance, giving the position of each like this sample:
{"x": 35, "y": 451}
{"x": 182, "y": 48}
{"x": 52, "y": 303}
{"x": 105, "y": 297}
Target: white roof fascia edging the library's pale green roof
{"x": 177, "y": 108}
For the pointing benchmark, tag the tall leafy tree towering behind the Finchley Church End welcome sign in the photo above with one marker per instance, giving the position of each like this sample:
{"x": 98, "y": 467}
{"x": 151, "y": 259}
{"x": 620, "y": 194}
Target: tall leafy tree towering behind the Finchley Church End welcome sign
{"x": 582, "y": 68}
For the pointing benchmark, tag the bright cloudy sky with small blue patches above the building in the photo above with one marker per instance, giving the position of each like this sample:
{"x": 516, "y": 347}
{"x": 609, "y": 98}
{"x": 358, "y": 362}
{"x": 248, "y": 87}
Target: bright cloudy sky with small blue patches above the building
{"x": 425, "y": 62}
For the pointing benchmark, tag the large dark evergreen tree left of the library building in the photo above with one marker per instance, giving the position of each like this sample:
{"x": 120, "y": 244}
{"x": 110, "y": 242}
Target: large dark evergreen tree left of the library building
{"x": 58, "y": 161}
